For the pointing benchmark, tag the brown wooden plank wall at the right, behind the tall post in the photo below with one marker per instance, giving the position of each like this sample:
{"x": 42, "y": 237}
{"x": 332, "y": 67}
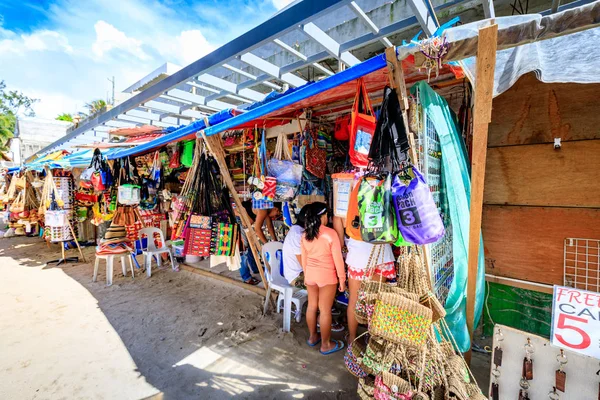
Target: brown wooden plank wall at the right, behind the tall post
{"x": 536, "y": 196}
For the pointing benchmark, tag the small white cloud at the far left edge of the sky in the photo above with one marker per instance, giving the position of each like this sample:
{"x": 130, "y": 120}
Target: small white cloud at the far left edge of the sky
{"x": 43, "y": 40}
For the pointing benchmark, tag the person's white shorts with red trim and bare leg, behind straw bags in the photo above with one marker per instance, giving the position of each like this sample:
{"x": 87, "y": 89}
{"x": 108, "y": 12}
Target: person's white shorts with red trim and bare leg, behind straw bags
{"x": 357, "y": 260}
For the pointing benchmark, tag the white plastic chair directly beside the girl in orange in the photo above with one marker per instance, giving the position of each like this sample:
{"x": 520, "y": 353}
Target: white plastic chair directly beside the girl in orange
{"x": 287, "y": 293}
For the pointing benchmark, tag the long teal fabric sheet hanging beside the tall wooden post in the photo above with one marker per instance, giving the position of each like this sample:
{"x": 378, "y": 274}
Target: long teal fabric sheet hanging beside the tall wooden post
{"x": 457, "y": 183}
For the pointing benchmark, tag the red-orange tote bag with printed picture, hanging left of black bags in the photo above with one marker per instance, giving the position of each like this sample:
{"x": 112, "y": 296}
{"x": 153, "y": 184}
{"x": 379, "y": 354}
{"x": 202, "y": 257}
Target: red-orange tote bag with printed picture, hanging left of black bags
{"x": 362, "y": 126}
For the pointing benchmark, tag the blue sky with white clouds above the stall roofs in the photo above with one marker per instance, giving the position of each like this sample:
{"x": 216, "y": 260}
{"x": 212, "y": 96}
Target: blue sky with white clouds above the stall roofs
{"x": 63, "y": 51}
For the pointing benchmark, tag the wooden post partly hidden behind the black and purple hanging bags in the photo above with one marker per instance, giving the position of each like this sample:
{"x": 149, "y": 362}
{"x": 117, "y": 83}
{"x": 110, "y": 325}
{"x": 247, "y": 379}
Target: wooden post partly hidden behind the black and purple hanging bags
{"x": 396, "y": 77}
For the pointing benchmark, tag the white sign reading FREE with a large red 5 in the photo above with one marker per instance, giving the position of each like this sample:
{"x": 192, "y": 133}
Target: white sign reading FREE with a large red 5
{"x": 576, "y": 320}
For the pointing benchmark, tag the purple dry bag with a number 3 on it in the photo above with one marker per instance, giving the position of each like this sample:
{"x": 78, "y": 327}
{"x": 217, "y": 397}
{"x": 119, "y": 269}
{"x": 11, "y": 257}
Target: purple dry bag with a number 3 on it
{"x": 417, "y": 215}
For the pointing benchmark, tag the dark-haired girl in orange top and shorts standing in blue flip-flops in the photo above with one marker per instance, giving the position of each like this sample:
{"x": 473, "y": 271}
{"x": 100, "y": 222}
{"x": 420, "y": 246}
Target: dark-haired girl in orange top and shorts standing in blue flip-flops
{"x": 323, "y": 267}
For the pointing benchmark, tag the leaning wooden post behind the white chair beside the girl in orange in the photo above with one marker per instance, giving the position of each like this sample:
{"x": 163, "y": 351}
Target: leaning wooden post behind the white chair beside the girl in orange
{"x": 214, "y": 144}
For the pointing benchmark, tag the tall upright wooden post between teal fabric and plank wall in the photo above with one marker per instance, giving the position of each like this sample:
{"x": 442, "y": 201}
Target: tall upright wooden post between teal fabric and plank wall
{"x": 484, "y": 90}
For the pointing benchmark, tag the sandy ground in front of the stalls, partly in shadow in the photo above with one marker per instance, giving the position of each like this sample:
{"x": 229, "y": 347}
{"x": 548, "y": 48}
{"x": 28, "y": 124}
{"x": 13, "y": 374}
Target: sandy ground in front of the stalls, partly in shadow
{"x": 173, "y": 336}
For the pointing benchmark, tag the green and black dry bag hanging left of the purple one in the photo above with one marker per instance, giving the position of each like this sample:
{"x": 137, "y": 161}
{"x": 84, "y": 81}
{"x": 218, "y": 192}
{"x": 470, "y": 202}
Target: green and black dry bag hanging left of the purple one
{"x": 377, "y": 219}
